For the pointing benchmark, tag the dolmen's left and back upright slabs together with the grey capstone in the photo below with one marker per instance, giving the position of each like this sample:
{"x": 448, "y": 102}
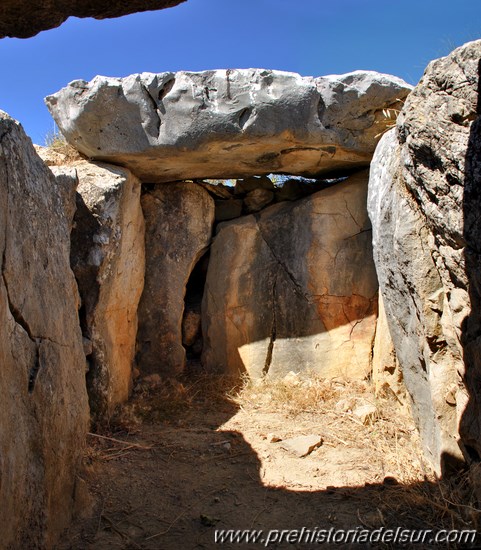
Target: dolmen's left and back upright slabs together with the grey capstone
{"x": 266, "y": 277}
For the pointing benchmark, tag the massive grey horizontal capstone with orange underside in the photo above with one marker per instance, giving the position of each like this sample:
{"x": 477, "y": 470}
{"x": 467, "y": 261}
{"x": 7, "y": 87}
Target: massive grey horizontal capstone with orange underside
{"x": 227, "y": 123}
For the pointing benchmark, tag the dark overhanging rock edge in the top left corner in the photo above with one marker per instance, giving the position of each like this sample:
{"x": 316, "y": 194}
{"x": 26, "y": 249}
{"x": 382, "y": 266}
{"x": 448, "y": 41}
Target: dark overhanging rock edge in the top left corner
{"x": 25, "y": 18}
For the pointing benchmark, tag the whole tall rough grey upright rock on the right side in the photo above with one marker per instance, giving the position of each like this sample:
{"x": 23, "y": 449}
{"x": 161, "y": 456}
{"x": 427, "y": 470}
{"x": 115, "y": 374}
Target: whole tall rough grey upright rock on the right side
{"x": 424, "y": 205}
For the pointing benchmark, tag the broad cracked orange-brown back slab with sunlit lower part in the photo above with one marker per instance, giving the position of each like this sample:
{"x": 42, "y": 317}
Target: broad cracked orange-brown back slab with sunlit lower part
{"x": 294, "y": 288}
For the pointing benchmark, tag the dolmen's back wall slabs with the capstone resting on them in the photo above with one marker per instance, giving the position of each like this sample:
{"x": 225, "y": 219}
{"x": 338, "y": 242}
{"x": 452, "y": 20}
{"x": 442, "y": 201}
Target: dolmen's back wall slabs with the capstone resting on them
{"x": 304, "y": 295}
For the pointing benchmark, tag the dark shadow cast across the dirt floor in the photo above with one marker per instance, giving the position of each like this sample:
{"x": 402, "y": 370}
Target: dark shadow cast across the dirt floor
{"x": 195, "y": 478}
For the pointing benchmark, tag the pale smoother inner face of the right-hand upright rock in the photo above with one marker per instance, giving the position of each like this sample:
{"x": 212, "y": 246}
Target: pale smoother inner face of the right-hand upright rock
{"x": 415, "y": 301}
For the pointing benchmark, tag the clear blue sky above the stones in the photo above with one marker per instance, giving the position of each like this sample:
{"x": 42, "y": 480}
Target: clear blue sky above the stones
{"x": 311, "y": 37}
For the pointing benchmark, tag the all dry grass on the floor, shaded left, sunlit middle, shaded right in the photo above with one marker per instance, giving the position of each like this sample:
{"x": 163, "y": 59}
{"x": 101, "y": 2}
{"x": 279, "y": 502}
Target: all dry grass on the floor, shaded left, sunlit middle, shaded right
{"x": 410, "y": 494}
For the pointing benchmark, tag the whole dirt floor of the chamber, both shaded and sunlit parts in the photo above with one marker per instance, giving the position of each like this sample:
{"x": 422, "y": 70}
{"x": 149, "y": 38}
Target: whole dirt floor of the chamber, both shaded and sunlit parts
{"x": 181, "y": 462}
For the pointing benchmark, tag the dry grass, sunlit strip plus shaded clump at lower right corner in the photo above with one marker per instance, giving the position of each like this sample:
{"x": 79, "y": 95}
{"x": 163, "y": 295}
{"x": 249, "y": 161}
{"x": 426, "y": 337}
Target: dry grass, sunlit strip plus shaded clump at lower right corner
{"x": 412, "y": 492}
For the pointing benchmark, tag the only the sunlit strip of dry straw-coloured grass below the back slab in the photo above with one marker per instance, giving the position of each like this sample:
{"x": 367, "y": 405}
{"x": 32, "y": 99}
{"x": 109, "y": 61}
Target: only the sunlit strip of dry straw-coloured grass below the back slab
{"x": 388, "y": 432}
